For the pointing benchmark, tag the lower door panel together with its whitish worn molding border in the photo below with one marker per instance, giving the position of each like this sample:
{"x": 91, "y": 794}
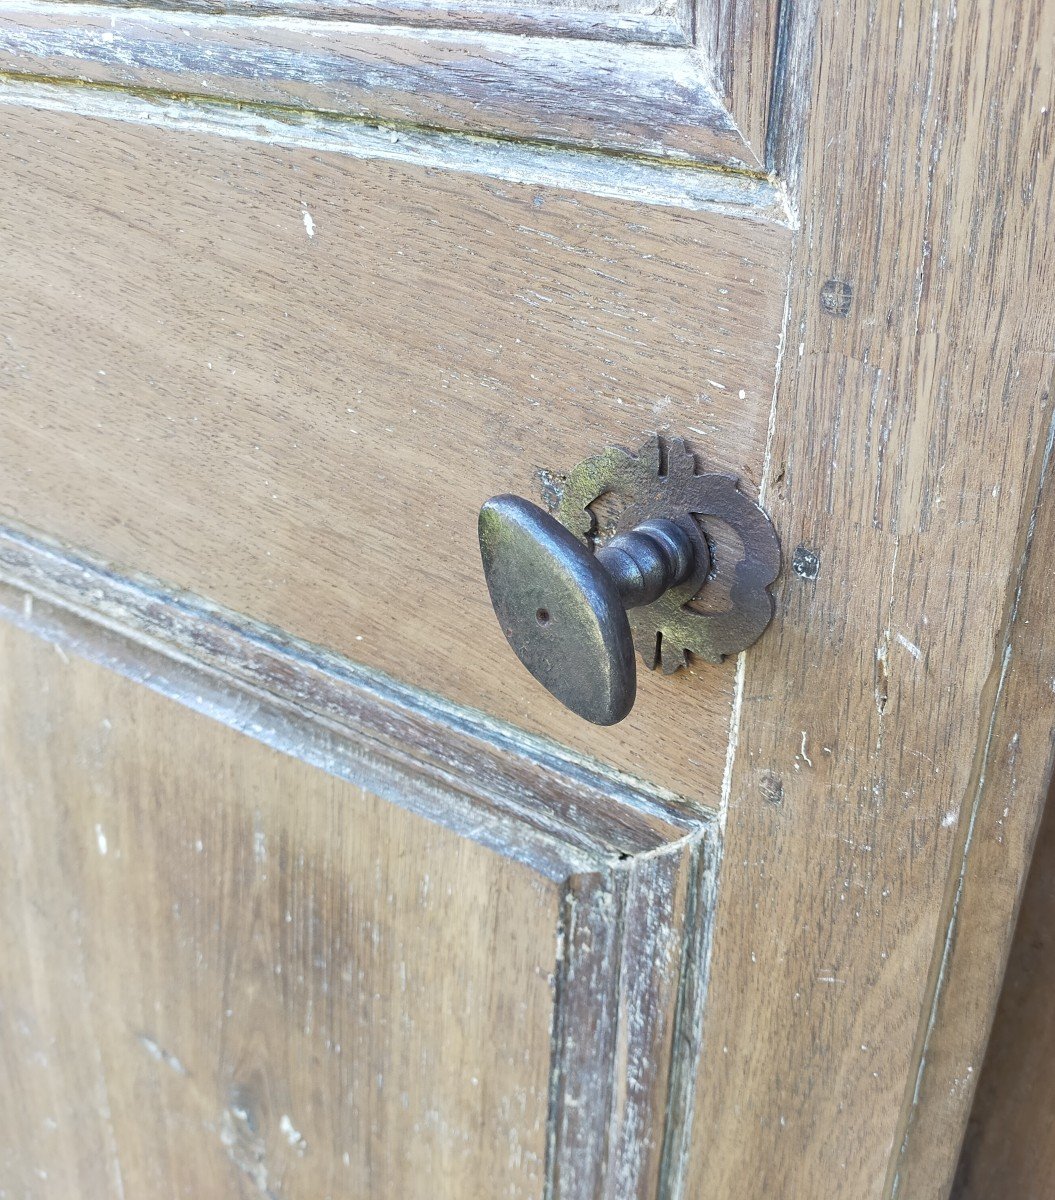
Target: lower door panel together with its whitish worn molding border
{"x": 169, "y": 970}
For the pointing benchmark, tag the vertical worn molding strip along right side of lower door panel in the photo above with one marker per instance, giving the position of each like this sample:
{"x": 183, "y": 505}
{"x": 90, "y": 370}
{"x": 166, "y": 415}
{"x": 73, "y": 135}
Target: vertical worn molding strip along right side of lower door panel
{"x": 633, "y": 967}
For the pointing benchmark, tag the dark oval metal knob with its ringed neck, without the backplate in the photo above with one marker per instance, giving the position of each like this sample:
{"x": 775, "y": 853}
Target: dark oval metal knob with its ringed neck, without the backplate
{"x": 564, "y": 610}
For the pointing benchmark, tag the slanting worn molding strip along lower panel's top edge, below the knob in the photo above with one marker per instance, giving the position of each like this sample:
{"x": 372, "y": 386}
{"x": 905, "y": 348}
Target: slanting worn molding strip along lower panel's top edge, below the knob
{"x": 519, "y": 795}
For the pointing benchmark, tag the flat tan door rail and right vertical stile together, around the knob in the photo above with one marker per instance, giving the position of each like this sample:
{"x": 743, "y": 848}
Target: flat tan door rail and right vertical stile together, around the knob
{"x": 874, "y": 735}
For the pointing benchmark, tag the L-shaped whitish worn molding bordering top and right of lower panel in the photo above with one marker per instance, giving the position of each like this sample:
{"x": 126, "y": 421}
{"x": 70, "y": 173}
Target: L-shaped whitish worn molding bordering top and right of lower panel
{"x": 637, "y": 871}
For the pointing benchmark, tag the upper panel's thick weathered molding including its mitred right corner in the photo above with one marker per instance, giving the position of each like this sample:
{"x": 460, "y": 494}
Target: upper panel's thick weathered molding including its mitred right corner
{"x": 669, "y": 82}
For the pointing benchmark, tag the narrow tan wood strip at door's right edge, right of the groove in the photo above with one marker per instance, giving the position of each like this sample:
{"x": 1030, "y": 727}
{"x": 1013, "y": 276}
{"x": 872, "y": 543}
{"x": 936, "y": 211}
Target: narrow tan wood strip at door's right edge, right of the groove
{"x": 998, "y": 836}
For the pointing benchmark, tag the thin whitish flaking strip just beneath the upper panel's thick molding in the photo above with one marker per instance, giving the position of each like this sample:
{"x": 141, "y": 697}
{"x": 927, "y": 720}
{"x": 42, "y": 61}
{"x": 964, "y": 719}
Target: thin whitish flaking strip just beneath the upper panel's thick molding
{"x": 618, "y": 177}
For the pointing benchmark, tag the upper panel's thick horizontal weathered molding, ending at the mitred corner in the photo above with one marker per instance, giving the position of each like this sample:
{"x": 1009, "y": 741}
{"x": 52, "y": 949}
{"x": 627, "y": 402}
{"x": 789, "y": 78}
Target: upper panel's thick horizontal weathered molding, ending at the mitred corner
{"x": 640, "y": 99}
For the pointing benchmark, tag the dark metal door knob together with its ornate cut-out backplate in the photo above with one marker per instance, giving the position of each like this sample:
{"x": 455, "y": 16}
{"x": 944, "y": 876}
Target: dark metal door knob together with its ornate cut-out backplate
{"x": 574, "y": 614}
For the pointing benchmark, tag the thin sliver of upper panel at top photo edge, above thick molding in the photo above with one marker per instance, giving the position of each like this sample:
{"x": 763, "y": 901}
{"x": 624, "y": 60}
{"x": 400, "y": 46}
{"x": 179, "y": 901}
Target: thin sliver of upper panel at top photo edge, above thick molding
{"x": 490, "y": 16}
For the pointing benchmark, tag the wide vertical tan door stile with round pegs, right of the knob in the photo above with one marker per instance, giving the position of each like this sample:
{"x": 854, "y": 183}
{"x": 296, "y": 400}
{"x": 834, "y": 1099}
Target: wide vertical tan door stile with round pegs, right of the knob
{"x": 912, "y": 429}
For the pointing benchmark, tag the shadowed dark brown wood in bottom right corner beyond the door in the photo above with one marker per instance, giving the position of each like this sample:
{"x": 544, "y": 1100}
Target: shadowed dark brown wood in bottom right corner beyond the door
{"x": 1009, "y": 1150}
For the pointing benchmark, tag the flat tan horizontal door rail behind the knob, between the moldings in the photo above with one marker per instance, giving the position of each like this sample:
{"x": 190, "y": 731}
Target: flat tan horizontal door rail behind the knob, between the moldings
{"x": 347, "y": 400}
